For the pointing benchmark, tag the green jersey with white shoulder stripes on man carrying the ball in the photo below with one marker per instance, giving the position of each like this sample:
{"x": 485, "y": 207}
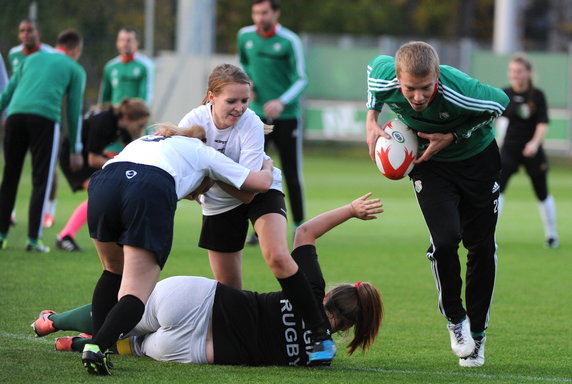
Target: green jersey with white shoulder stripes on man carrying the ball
{"x": 462, "y": 104}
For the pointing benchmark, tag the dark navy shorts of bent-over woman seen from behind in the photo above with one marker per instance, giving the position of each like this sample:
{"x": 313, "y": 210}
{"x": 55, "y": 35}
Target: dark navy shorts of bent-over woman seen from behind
{"x": 133, "y": 204}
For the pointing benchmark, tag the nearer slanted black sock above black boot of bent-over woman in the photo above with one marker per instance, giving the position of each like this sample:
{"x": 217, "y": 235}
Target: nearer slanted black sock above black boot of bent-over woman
{"x": 121, "y": 319}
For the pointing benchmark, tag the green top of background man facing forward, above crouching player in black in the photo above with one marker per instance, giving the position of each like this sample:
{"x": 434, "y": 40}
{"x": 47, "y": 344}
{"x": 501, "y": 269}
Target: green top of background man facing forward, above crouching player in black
{"x": 127, "y": 77}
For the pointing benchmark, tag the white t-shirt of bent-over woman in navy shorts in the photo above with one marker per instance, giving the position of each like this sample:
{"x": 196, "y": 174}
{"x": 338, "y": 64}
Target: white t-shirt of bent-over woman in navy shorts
{"x": 186, "y": 159}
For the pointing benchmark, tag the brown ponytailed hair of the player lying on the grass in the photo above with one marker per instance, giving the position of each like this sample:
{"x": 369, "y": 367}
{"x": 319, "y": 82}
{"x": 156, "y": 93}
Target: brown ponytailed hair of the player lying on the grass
{"x": 359, "y": 306}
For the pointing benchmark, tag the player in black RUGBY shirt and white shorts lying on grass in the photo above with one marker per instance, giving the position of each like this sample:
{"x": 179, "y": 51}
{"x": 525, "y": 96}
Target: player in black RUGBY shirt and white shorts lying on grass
{"x": 248, "y": 328}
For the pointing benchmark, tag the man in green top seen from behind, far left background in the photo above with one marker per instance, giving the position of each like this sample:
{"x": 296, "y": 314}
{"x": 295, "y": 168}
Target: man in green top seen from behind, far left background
{"x": 35, "y": 94}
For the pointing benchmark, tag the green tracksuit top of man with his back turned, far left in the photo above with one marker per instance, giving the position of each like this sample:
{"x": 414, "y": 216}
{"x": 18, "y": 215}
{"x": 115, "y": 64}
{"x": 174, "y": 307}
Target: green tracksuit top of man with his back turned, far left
{"x": 39, "y": 85}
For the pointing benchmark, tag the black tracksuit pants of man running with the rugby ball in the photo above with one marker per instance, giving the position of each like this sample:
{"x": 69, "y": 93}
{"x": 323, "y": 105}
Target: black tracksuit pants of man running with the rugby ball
{"x": 459, "y": 201}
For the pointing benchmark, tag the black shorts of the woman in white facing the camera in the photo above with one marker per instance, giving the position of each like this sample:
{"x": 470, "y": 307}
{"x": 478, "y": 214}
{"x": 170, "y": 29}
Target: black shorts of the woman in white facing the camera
{"x": 227, "y": 231}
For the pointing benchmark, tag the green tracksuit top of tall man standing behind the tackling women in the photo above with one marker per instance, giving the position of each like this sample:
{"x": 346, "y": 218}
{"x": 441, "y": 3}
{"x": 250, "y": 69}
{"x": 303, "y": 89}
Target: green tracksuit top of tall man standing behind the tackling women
{"x": 276, "y": 66}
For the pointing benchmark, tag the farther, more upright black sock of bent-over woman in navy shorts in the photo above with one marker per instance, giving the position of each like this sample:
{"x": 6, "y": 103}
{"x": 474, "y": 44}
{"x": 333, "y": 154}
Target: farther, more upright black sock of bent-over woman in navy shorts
{"x": 104, "y": 298}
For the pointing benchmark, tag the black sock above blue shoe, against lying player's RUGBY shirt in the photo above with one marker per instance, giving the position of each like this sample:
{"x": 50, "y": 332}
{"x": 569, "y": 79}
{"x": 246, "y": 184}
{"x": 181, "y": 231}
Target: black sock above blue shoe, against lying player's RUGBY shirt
{"x": 297, "y": 289}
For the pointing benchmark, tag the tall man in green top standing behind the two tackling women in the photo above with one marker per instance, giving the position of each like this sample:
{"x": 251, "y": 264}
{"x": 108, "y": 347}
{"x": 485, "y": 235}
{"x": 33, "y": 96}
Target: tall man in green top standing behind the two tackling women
{"x": 273, "y": 58}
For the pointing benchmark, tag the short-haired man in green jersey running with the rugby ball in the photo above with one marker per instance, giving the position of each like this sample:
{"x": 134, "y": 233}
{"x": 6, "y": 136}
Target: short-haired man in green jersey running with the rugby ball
{"x": 455, "y": 178}
